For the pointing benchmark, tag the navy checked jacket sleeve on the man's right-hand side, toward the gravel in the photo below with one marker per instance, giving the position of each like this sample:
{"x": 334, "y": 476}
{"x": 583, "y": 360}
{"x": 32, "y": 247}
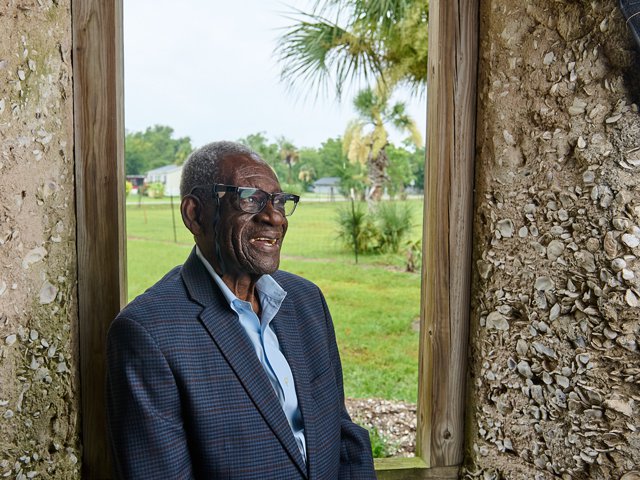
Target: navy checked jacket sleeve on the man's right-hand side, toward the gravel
{"x": 356, "y": 459}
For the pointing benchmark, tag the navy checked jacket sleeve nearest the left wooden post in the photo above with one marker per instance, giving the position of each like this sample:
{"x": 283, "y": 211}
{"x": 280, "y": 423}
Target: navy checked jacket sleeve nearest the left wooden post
{"x": 145, "y": 429}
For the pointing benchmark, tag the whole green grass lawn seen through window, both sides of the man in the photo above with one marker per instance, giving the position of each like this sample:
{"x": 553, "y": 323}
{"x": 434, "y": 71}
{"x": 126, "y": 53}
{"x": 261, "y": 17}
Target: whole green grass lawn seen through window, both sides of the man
{"x": 375, "y": 305}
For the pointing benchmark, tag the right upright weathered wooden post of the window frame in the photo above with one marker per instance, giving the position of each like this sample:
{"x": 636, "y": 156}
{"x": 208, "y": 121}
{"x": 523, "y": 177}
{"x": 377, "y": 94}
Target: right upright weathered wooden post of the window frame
{"x": 447, "y": 230}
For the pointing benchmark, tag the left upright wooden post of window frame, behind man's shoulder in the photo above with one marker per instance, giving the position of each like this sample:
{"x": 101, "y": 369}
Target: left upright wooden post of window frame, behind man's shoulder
{"x": 99, "y": 152}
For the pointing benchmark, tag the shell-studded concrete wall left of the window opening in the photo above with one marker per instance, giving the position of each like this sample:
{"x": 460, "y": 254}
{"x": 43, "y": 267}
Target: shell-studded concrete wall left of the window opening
{"x": 39, "y": 420}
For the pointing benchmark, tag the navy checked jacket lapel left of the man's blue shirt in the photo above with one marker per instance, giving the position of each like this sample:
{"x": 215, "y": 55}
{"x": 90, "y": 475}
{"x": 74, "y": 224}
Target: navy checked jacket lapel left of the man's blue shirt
{"x": 226, "y": 331}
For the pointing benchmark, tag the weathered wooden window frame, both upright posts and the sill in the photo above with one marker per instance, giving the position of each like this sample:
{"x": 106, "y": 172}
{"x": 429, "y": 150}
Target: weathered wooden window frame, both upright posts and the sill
{"x": 97, "y": 29}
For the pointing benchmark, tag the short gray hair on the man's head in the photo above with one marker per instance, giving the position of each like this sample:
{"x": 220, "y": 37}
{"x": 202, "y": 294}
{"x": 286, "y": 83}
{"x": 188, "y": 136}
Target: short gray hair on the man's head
{"x": 203, "y": 165}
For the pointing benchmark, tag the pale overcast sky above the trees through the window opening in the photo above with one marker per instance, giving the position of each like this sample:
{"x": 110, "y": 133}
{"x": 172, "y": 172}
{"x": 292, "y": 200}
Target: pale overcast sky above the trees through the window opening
{"x": 207, "y": 69}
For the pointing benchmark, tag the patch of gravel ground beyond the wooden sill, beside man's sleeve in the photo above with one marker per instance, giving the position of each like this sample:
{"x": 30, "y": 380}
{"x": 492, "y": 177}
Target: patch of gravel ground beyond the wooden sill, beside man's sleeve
{"x": 394, "y": 421}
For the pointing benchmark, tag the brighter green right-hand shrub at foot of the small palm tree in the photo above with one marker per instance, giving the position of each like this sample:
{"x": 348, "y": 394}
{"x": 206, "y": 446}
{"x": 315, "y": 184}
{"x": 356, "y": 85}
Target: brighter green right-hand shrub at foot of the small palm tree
{"x": 394, "y": 225}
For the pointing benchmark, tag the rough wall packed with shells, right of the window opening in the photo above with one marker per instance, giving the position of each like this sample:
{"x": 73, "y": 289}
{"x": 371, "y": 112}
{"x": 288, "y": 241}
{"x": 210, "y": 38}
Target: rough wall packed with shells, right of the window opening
{"x": 555, "y": 365}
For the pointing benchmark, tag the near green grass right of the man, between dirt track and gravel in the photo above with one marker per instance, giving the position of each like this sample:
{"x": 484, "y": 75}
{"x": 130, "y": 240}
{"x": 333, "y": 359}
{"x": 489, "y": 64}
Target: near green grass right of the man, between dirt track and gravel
{"x": 373, "y": 310}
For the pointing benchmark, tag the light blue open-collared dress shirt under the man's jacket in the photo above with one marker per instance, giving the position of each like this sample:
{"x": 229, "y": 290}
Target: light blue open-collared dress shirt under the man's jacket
{"x": 265, "y": 344}
